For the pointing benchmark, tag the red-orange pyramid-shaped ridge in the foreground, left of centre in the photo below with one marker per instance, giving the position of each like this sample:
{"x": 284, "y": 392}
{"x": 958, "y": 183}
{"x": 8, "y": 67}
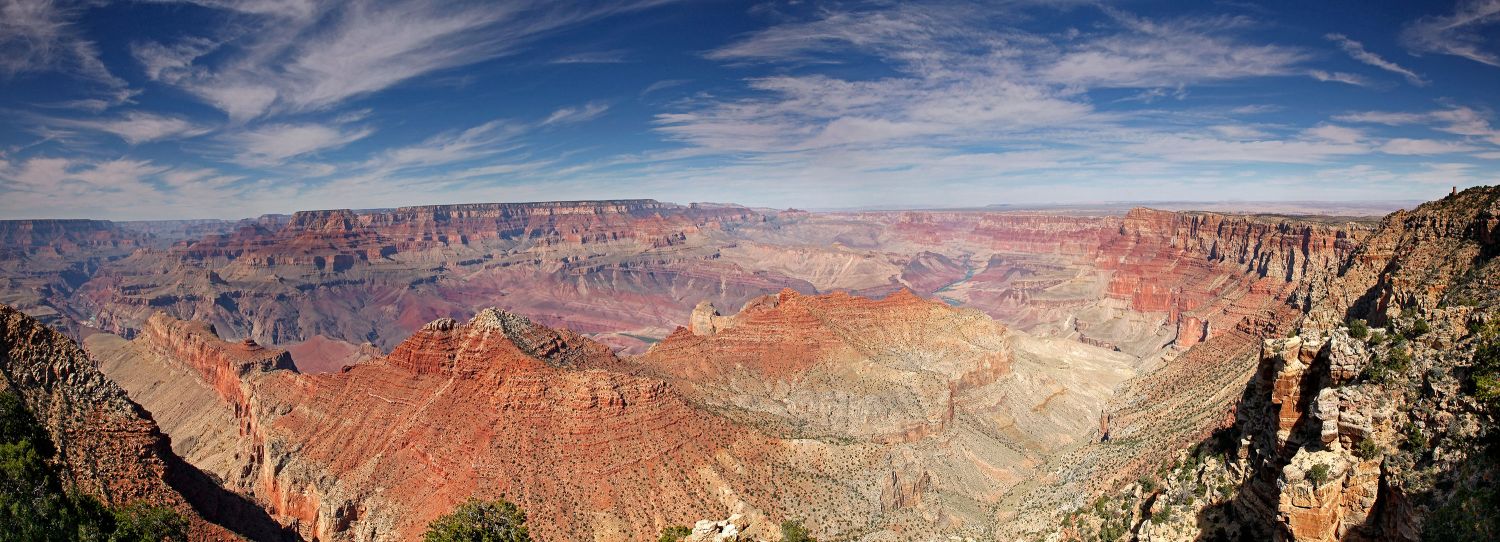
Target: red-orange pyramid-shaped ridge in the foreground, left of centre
{"x": 496, "y": 406}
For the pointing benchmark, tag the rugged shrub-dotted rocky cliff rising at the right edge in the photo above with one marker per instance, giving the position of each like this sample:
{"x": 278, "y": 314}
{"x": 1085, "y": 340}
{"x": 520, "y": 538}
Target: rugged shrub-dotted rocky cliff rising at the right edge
{"x": 1354, "y": 433}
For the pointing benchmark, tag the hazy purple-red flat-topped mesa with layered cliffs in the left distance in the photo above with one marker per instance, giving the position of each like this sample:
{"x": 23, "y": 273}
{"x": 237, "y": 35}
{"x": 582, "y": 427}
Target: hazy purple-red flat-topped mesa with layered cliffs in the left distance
{"x": 377, "y": 277}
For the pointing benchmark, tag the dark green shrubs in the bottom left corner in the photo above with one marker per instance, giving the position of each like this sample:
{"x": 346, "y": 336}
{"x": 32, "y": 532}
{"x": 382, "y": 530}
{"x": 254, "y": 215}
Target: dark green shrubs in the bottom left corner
{"x": 34, "y": 505}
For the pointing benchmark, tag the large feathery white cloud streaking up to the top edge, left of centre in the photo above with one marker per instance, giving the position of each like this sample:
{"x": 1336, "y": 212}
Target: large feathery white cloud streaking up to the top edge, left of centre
{"x": 313, "y": 56}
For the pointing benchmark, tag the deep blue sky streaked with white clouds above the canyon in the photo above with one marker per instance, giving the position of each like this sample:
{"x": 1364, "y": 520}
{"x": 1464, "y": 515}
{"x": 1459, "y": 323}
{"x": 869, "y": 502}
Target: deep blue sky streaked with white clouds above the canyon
{"x": 217, "y": 109}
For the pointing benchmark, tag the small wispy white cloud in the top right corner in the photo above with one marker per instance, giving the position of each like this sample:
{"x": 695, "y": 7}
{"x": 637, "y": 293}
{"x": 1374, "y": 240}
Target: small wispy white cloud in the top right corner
{"x": 1468, "y": 32}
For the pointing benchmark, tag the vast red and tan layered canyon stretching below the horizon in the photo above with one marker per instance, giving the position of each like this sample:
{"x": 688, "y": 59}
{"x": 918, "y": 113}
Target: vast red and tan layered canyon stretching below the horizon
{"x": 620, "y": 367}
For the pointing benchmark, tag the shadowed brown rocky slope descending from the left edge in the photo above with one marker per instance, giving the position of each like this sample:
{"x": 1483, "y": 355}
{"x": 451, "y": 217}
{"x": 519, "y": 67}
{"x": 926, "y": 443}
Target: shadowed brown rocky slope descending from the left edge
{"x": 109, "y": 447}
